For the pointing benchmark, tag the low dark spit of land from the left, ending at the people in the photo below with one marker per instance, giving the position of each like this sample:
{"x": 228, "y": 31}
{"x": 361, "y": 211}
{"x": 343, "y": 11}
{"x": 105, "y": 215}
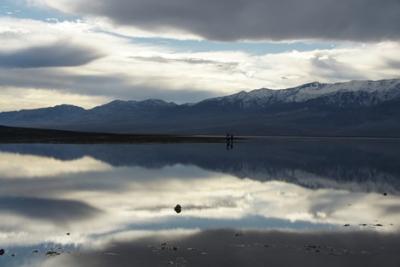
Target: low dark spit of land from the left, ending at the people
{"x": 27, "y": 135}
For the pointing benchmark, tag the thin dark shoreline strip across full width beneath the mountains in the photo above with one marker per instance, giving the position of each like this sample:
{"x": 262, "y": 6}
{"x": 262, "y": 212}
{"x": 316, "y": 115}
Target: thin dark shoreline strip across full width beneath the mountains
{"x": 20, "y": 135}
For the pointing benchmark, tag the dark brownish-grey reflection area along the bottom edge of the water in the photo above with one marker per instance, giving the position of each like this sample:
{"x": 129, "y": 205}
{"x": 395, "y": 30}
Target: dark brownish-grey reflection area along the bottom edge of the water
{"x": 229, "y": 248}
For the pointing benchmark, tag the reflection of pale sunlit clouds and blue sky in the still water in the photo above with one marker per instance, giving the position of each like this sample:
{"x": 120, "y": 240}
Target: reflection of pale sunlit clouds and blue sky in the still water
{"x": 105, "y": 202}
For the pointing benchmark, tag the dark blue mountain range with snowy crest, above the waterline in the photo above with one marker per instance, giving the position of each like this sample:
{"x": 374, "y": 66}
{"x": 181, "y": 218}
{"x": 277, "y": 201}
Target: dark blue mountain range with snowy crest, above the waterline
{"x": 356, "y": 108}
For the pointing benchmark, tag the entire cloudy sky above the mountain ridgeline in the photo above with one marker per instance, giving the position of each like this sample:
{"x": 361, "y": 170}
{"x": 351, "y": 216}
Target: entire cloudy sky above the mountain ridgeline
{"x": 90, "y": 52}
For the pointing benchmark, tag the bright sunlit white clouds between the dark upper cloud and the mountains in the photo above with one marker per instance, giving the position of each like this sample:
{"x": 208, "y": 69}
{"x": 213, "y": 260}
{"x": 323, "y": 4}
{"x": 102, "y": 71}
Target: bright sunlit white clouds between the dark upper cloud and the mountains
{"x": 134, "y": 70}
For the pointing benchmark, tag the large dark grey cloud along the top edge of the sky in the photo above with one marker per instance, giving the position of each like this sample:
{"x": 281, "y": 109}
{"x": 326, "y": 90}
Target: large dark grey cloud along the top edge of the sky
{"x": 227, "y": 20}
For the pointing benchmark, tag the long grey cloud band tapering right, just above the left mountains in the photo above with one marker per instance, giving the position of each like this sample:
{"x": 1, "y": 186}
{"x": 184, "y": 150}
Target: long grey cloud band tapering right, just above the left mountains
{"x": 107, "y": 86}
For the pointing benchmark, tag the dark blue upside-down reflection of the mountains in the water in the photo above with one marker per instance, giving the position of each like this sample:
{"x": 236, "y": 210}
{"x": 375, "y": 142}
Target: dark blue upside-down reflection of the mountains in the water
{"x": 357, "y": 165}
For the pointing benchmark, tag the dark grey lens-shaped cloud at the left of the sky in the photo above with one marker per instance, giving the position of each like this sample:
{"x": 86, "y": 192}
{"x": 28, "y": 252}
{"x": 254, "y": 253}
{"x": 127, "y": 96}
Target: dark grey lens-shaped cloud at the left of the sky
{"x": 58, "y": 54}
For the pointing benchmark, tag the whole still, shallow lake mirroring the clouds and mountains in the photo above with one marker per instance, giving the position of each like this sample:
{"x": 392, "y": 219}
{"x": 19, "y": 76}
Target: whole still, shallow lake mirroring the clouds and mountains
{"x": 75, "y": 205}
